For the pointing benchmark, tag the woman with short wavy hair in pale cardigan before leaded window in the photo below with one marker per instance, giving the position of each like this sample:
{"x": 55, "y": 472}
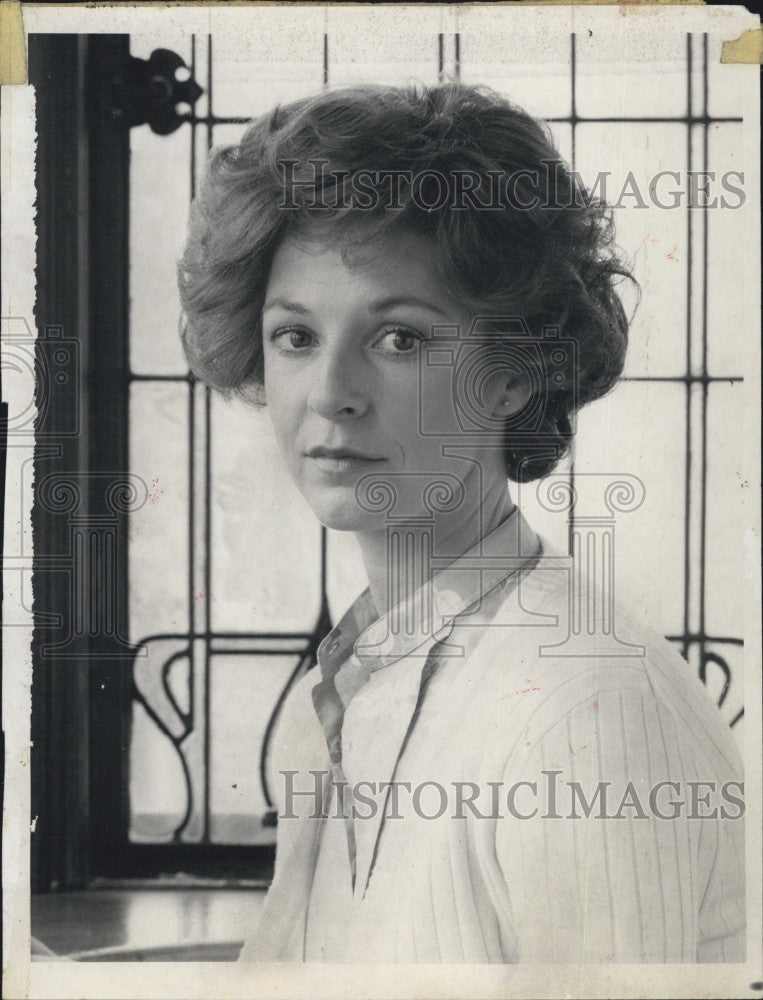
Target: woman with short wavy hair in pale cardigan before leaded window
{"x": 423, "y": 296}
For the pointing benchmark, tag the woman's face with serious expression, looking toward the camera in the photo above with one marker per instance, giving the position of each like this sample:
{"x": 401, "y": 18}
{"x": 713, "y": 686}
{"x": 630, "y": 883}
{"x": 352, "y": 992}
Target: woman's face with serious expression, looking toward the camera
{"x": 342, "y": 344}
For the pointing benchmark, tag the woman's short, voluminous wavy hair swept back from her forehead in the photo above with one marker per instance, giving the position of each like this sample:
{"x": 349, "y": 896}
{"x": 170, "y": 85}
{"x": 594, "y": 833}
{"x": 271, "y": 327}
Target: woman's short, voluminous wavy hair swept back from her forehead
{"x": 543, "y": 249}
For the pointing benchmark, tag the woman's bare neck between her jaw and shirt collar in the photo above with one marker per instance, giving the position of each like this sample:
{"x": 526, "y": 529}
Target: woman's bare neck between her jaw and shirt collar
{"x": 398, "y": 567}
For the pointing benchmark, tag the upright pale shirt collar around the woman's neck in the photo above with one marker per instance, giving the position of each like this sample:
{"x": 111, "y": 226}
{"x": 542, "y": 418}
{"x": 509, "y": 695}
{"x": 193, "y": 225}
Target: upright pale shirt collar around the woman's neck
{"x": 378, "y": 641}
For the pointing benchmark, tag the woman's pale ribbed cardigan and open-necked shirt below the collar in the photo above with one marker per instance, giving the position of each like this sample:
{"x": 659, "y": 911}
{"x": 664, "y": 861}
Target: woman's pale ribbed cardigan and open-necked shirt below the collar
{"x": 487, "y": 888}
